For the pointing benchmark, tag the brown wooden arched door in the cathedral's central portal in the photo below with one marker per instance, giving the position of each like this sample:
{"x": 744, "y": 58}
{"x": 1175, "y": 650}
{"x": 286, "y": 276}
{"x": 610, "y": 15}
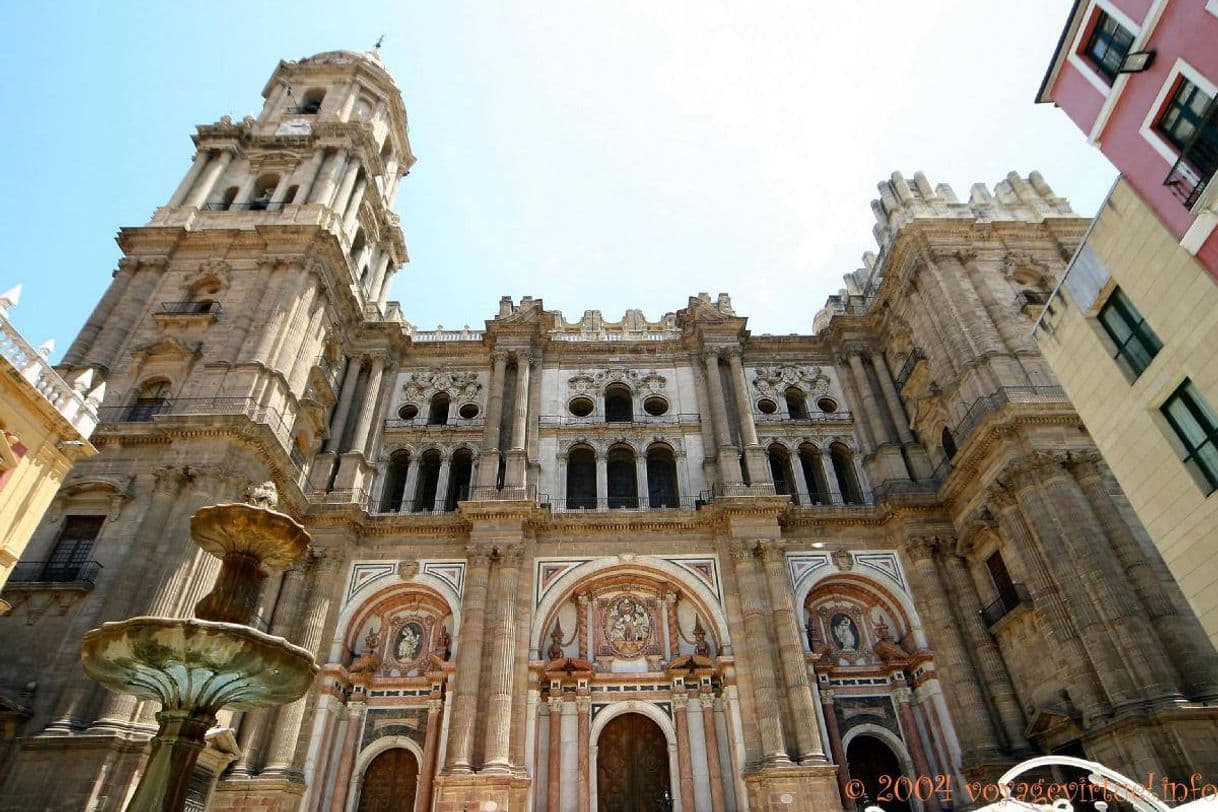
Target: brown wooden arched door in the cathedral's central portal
{"x": 633, "y": 766}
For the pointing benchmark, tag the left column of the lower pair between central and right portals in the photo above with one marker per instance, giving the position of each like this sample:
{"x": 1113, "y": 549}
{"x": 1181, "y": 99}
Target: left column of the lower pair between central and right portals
{"x": 757, "y": 657}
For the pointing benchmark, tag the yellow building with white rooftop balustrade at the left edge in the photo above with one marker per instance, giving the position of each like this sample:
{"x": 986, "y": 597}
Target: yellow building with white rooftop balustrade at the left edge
{"x": 44, "y": 428}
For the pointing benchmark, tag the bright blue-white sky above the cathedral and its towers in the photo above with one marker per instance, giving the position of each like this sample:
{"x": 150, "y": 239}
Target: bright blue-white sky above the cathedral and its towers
{"x": 597, "y": 155}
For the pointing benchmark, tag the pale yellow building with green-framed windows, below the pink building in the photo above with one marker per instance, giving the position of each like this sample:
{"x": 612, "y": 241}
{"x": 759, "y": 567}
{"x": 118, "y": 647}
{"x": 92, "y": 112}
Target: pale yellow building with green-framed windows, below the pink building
{"x": 1132, "y": 333}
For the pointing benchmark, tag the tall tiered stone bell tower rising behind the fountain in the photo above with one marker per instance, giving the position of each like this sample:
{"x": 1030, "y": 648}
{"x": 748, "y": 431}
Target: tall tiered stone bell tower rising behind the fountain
{"x": 239, "y": 344}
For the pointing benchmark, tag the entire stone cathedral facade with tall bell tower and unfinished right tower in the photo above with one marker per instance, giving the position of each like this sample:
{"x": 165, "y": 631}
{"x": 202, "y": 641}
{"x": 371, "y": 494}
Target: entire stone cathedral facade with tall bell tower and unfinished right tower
{"x": 591, "y": 564}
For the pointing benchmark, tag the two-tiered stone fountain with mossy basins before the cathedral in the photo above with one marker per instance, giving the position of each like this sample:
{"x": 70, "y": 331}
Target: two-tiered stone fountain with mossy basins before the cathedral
{"x": 197, "y": 667}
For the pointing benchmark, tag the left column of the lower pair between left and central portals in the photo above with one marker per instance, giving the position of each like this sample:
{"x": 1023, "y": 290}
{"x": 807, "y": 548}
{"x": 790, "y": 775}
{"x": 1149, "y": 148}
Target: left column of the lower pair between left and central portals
{"x": 470, "y": 662}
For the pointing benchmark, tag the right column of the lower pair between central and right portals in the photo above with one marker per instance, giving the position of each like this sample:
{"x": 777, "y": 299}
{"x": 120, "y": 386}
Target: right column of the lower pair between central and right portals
{"x": 791, "y": 654}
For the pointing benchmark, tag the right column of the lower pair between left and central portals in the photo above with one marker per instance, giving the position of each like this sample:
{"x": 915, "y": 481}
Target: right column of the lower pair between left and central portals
{"x": 499, "y": 723}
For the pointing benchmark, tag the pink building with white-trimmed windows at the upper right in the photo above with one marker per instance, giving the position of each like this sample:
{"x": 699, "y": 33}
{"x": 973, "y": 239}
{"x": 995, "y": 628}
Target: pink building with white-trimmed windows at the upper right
{"x": 1141, "y": 79}
